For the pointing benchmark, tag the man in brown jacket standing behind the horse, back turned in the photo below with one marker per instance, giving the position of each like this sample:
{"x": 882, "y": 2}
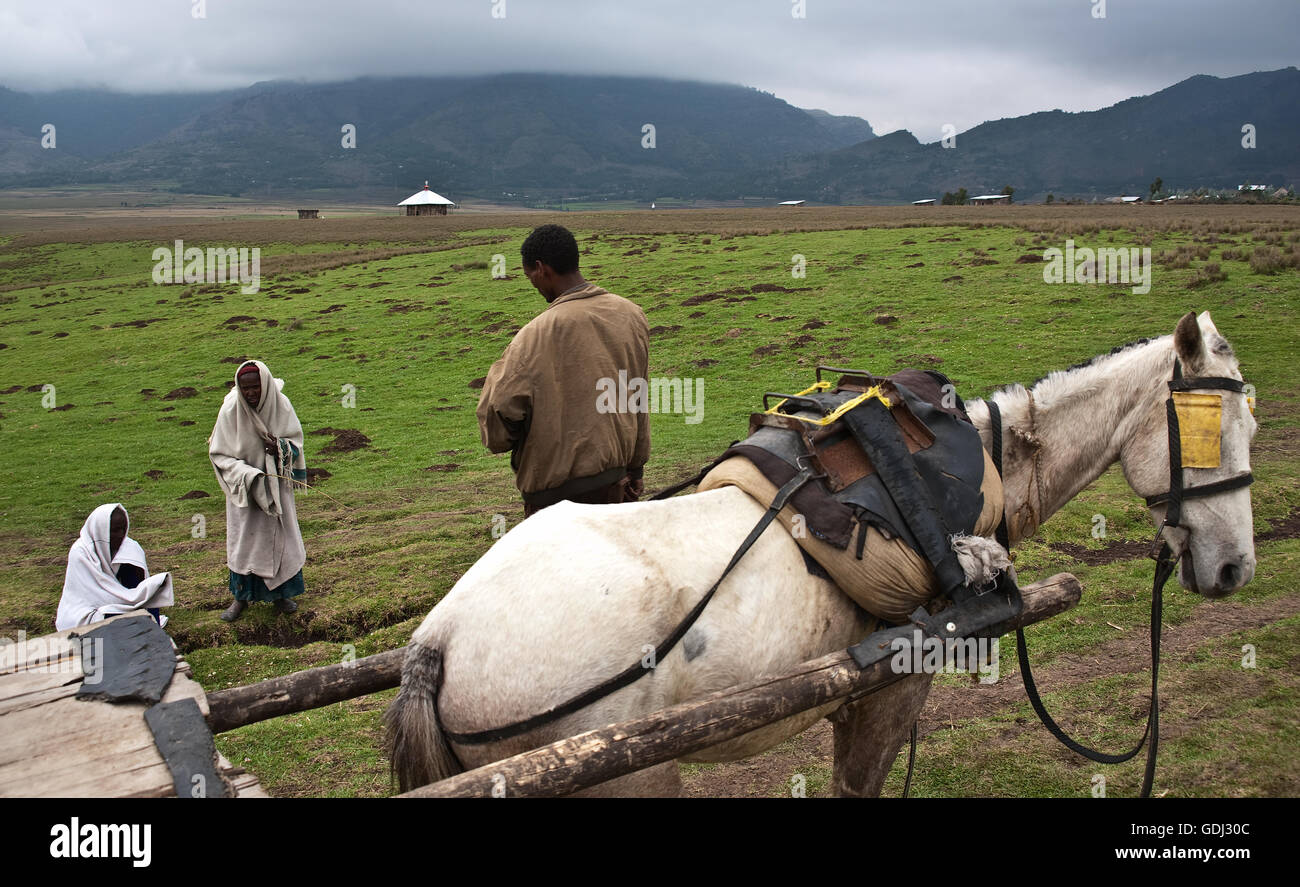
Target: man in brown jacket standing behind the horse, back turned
{"x": 540, "y": 400}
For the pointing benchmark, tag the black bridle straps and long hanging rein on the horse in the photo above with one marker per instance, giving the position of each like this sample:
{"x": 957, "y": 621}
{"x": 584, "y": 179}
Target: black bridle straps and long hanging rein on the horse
{"x": 1165, "y": 565}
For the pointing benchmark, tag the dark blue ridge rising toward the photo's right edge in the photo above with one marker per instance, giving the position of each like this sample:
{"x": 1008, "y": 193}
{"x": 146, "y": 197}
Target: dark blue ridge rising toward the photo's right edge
{"x": 1189, "y": 135}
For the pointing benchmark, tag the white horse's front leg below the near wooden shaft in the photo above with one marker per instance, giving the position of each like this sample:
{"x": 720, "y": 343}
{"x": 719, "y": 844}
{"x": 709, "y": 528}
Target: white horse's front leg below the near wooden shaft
{"x": 870, "y": 732}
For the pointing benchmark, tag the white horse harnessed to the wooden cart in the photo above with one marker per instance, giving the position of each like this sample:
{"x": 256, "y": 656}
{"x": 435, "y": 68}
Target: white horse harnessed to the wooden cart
{"x": 578, "y": 594}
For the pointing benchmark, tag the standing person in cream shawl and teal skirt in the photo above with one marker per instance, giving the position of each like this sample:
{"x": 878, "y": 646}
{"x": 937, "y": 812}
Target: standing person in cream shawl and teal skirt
{"x": 257, "y": 449}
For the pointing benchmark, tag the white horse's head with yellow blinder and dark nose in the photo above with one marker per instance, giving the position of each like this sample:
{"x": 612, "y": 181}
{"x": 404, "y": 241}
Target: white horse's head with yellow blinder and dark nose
{"x": 1215, "y": 540}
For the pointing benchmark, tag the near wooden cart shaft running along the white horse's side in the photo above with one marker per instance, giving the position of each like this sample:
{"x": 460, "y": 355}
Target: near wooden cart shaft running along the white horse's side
{"x": 618, "y": 750}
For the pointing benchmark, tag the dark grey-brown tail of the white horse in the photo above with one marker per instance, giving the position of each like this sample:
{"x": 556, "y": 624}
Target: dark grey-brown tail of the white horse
{"x": 418, "y": 750}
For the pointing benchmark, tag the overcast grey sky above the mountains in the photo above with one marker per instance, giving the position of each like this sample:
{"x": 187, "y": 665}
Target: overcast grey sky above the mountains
{"x": 900, "y": 64}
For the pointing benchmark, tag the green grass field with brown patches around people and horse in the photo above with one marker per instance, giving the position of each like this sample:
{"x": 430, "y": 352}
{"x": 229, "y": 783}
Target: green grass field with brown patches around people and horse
{"x": 140, "y": 370}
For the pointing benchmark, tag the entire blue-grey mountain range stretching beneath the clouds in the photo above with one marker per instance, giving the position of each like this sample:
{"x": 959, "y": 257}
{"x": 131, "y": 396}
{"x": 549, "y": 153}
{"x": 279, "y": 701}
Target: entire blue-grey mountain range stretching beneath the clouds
{"x": 534, "y": 137}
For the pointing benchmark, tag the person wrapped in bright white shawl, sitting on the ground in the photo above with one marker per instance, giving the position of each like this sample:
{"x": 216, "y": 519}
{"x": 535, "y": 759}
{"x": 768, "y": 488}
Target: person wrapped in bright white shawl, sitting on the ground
{"x": 107, "y": 574}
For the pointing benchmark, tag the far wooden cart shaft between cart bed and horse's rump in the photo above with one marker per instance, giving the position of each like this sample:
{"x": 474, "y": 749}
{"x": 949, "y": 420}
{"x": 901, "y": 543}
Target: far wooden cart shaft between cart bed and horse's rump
{"x": 305, "y": 690}
